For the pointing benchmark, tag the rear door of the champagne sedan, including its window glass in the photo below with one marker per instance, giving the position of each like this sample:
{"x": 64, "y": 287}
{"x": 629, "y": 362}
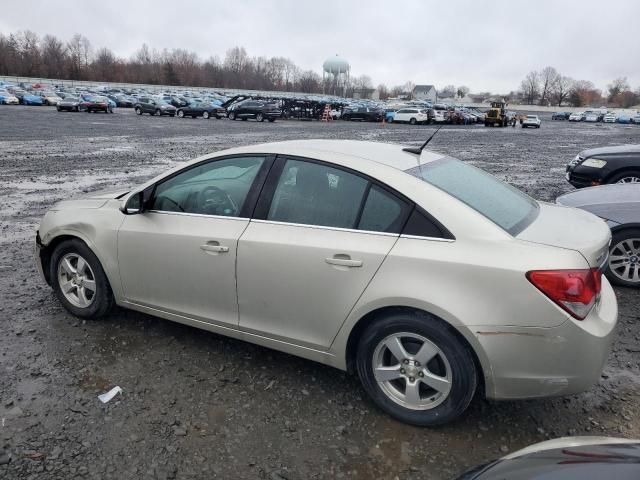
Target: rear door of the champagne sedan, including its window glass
{"x": 317, "y": 238}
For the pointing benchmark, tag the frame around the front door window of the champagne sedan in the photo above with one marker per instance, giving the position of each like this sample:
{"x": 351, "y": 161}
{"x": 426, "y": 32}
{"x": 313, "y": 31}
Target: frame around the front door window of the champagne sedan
{"x": 252, "y": 195}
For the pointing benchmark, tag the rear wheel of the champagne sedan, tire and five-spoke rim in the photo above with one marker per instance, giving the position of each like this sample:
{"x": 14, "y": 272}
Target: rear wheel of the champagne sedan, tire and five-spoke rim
{"x": 449, "y": 365}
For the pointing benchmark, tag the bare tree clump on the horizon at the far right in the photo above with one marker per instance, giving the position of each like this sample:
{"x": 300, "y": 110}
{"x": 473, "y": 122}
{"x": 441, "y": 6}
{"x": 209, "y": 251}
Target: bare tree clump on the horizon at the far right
{"x": 549, "y": 87}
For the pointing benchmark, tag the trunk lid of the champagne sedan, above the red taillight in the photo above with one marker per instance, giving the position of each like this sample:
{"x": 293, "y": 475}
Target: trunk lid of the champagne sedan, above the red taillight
{"x": 572, "y": 229}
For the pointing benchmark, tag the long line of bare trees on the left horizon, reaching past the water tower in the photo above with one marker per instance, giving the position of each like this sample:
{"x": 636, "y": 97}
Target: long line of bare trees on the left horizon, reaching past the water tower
{"x": 26, "y": 54}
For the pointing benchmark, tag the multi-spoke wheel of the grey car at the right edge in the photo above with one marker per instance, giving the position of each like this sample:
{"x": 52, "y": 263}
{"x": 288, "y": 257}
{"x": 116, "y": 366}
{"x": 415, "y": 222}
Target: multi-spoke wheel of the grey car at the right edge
{"x": 623, "y": 266}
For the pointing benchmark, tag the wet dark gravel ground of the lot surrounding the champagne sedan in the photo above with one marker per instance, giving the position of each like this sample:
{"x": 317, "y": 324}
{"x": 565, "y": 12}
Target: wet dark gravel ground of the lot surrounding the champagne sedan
{"x": 196, "y": 405}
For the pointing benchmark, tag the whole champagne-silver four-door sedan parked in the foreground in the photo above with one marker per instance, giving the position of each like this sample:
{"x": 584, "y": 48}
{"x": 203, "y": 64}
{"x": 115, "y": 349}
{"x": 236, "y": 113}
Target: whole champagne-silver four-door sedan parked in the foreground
{"x": 428, "y": 277}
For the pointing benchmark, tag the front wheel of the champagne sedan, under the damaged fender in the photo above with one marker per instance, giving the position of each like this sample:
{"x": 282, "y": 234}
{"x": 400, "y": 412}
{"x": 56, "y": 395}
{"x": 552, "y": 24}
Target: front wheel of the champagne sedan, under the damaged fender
{"x": 71, "y": 253}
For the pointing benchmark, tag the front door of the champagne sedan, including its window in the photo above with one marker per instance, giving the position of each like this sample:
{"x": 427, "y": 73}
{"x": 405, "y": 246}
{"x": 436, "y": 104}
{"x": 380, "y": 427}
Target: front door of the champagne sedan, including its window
{"x": 179, "y": 256}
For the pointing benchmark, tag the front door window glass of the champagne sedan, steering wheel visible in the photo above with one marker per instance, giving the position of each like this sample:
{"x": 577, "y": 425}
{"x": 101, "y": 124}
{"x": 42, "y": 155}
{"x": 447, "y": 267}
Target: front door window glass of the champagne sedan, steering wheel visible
{"x": 219, "y": 187}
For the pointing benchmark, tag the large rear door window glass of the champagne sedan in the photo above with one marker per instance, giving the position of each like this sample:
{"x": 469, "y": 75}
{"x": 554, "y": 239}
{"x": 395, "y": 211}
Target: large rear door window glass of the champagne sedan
{"x": 316, "y": 194}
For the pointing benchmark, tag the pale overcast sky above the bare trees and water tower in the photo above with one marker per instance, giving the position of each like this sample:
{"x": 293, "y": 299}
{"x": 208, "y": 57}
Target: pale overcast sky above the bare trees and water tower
{"x": 487, "y": 45}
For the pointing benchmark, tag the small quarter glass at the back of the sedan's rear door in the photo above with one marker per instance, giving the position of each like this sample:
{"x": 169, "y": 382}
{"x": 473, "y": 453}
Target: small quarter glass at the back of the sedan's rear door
{"x": 383, "y": 212}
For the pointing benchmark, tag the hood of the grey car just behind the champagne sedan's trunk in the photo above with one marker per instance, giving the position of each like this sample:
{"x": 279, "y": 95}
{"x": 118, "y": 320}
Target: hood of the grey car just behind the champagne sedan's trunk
{"x": 617, "y": 202}
